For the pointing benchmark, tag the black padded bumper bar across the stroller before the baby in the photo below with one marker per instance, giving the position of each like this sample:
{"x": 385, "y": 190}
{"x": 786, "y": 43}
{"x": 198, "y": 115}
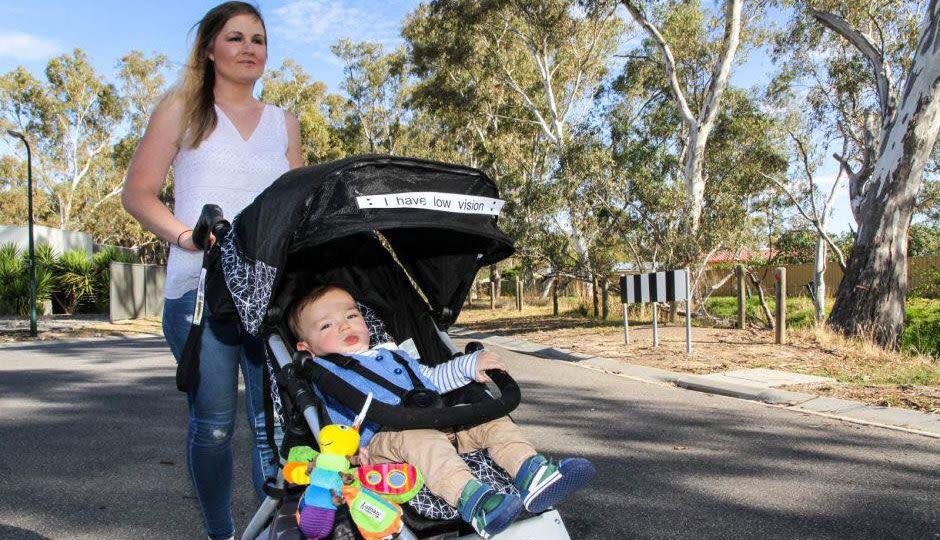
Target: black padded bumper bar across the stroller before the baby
{"x": 397, "y": 417}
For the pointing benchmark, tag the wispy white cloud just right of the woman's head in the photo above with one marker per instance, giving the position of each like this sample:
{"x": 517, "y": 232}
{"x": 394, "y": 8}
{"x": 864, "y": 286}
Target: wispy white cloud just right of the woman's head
{"x": 319, "y": 24}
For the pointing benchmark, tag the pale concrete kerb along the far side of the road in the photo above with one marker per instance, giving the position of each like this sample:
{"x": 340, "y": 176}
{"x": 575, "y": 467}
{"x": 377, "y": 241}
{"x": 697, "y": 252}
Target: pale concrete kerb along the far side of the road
{"x": 751, "y": 384}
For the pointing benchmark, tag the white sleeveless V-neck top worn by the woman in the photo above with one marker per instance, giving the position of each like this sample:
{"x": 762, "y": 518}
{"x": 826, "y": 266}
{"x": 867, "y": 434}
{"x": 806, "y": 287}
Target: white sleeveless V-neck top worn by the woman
{"x": 226, "y": 170}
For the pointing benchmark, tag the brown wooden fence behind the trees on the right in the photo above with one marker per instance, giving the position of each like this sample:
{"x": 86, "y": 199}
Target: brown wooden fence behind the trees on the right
{"x": 798, "y": 275}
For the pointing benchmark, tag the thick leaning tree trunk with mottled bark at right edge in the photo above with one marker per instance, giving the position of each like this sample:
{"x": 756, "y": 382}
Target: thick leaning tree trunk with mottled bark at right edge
{"x": 873, "y": 292}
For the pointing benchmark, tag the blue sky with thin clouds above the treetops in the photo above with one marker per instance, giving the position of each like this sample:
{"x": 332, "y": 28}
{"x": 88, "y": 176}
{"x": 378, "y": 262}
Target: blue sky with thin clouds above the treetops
{"x": 302, "y": 30}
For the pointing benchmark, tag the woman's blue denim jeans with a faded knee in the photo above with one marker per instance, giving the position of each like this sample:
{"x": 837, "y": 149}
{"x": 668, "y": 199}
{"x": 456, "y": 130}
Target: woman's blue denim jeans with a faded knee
{"x": 212, "y": 409}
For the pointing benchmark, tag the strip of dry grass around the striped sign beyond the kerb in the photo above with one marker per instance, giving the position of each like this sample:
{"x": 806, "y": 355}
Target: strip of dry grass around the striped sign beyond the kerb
{"x": 862, "y": 370}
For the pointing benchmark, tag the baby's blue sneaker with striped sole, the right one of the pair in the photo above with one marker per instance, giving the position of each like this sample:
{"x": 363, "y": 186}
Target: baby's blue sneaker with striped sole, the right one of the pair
{"x": 543, "y": 483}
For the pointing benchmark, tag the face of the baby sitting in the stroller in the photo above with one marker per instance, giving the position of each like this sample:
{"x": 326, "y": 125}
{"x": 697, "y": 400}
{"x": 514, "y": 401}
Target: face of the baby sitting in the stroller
{"x": 333, "y": 324}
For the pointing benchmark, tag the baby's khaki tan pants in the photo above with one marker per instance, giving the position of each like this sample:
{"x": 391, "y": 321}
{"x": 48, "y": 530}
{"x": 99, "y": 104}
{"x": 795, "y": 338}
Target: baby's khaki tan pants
{"x": 432, "y": 452}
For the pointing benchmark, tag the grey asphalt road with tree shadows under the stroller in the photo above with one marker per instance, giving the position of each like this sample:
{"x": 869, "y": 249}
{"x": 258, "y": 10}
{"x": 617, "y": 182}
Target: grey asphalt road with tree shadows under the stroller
{"x": 91, "y": 447}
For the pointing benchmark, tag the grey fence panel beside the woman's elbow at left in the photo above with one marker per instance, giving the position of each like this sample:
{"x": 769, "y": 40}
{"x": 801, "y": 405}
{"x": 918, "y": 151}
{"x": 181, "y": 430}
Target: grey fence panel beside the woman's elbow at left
{"x": 136, "y": 290}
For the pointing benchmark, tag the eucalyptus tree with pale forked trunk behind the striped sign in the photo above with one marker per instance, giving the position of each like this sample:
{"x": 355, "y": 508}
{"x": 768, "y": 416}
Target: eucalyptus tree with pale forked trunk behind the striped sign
{"x": 651, "y": 139}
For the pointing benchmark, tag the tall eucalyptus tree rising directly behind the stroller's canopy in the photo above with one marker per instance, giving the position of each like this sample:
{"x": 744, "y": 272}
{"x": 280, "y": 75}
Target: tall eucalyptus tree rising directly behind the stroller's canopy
{"x": 525, "y": 66}
